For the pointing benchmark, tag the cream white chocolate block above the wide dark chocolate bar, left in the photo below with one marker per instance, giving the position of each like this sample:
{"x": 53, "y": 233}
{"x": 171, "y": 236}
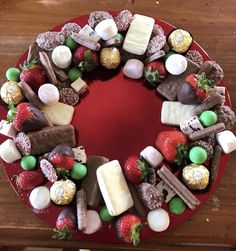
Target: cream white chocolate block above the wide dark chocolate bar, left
{"x": 59, "y": 114}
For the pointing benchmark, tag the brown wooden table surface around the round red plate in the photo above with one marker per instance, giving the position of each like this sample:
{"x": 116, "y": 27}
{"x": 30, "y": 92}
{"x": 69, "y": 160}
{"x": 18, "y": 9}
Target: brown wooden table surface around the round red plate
{"x": 213, "y": 24}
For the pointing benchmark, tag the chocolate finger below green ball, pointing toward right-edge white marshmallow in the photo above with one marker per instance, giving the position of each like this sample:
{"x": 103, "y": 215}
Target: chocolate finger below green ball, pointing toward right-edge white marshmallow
{"x": 207, "y": 131}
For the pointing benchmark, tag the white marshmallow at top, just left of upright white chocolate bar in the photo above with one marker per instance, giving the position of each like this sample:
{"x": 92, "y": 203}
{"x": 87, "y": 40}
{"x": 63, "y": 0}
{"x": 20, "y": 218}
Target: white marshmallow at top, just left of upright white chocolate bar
{"x": 106, "y": 29}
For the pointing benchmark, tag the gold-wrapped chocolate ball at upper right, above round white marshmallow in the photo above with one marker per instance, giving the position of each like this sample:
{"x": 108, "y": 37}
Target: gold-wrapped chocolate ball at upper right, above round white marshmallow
{"x": 180, "y": 40}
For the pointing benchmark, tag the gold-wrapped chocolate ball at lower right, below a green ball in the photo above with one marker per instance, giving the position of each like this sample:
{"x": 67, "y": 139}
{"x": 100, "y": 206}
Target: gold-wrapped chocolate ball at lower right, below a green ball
{"x": 195, "y": 177}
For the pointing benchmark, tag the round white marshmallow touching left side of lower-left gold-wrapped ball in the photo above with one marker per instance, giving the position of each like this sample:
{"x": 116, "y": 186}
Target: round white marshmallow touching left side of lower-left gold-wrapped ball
{"x": 40, "y": 198}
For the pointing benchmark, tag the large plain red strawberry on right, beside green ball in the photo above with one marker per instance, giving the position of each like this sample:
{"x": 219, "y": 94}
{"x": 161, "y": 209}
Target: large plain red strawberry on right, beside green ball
{"x": 173, "y": 145}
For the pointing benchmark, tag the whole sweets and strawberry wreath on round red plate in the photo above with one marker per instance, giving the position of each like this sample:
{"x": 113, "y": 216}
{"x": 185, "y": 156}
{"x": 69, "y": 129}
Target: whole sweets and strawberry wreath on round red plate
{"x": 77, "y": 183}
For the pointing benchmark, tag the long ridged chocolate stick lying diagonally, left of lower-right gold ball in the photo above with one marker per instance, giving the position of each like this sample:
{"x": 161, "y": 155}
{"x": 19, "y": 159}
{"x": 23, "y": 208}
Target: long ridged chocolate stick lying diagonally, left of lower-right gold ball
{"x": 178, "y": 187}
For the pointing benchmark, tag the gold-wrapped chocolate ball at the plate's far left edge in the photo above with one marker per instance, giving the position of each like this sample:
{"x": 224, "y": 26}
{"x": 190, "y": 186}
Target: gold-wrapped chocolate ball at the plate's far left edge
{"x": 11, "y": 93}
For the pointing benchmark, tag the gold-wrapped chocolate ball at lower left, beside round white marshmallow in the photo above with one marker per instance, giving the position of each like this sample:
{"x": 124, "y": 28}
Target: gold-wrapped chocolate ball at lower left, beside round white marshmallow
{"x": 62, "y": 192}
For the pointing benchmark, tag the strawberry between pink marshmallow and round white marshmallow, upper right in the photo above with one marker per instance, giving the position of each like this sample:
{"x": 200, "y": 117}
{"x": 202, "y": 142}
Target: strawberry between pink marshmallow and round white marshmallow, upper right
{"x": 154, "y": 73}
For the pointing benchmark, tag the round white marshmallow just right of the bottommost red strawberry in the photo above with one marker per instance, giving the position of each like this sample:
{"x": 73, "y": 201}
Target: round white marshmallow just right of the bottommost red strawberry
{"x": 158, "y": 220}
